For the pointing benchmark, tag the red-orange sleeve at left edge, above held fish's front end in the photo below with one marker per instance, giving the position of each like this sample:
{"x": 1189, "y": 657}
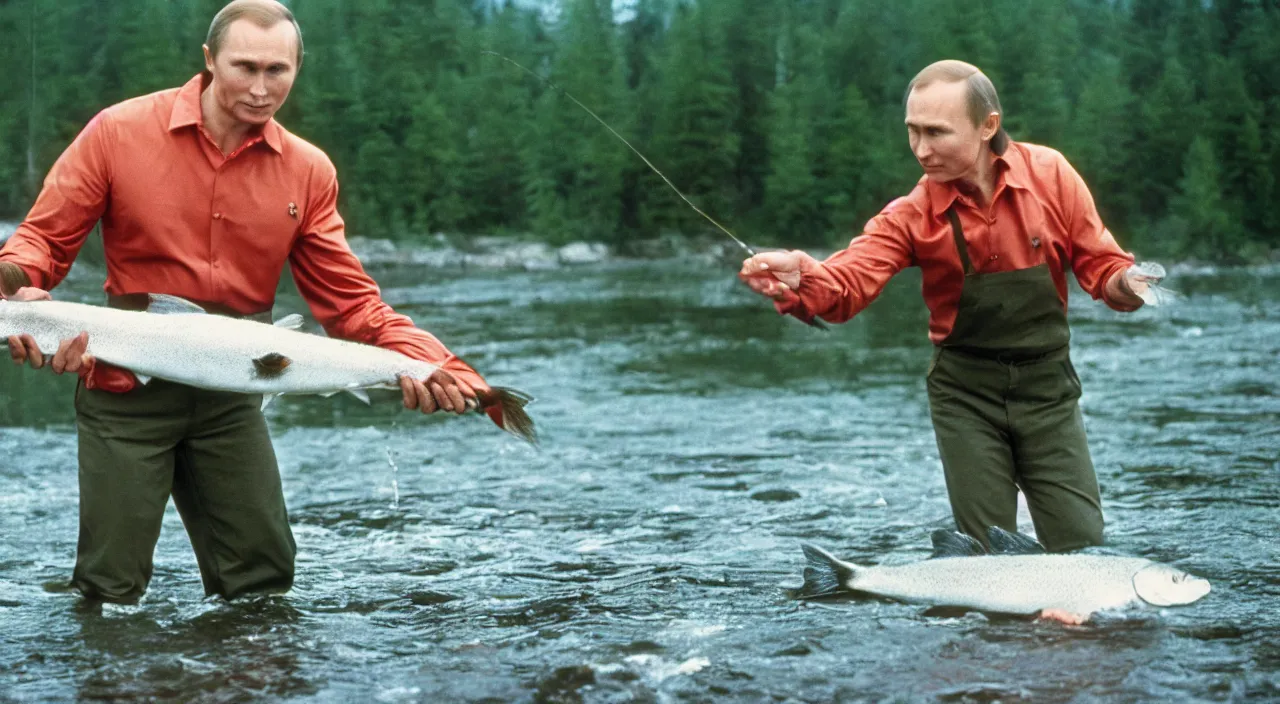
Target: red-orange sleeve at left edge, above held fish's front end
{"x": 71, "y": 203}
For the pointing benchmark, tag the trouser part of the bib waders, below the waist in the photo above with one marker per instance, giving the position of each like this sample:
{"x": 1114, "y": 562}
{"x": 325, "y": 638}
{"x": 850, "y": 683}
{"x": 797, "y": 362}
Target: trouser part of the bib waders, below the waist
{"x": 1003, "y": 427}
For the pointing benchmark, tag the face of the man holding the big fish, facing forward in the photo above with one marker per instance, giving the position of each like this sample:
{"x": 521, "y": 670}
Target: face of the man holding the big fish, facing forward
{"x": 254, "y": 71}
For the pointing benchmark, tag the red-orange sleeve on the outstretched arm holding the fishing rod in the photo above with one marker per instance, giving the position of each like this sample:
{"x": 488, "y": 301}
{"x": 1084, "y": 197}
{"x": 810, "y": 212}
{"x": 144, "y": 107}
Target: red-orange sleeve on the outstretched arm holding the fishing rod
{"x": 840, "y": 287}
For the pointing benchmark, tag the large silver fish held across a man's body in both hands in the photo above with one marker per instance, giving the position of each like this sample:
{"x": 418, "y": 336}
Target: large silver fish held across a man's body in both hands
{"x": 177, "y": 341}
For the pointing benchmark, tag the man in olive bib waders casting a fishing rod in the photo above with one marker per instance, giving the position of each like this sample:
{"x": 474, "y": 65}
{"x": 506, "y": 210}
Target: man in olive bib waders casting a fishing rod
{"x": 994, "y": 226}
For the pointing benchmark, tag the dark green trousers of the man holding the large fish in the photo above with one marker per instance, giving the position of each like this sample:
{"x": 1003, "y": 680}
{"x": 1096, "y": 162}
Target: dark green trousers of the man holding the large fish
{"x": 212, "y": 452}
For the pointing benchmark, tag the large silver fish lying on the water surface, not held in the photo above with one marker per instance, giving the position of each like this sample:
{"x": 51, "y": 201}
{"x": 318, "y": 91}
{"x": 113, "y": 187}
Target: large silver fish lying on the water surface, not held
{"x": 1018, "y": 578}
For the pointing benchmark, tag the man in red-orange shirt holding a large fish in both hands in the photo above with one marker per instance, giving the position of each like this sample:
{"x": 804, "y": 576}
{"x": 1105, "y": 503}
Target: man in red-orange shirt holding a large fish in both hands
{"x": 203, "y": 195}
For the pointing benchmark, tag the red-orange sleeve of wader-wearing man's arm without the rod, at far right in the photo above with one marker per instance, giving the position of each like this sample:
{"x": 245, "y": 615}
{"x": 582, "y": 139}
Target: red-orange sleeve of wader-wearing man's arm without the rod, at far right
{"x": 1096, "y": 257}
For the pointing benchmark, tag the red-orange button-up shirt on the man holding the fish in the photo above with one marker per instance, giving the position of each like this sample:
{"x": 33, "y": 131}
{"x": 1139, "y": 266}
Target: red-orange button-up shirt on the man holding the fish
{"x": 181, "y": 218}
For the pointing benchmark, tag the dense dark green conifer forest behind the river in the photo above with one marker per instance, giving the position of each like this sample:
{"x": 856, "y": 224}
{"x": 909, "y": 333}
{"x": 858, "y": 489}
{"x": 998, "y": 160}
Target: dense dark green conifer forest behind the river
{"x": 781, "y": 118}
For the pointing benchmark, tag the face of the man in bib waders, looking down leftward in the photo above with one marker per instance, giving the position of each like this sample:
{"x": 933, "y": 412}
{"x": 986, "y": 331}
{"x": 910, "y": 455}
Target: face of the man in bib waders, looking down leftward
{"x": 944, "y": 140}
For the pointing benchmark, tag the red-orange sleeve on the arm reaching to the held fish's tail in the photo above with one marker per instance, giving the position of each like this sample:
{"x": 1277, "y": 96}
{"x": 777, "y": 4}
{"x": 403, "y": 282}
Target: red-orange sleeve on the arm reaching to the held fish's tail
{"x": 345, "y": 300}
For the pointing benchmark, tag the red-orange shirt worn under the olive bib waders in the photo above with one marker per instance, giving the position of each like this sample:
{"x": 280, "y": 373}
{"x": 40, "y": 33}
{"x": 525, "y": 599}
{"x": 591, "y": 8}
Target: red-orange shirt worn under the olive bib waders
{"x": 1041, "y": 213}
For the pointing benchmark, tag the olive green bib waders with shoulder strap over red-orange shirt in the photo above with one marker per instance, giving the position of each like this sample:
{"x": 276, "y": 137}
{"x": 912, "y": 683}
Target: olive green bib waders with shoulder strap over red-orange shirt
{"x": 1005, "y": 405}
